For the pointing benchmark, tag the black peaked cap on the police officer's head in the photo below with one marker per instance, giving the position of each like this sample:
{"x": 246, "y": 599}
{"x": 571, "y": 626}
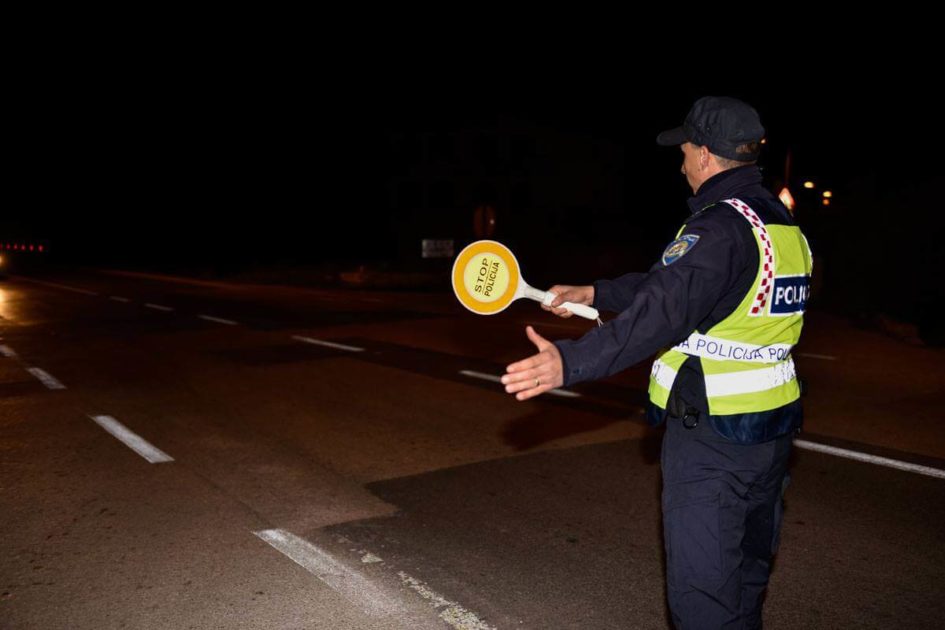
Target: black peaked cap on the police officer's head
{"x": 720, "y": 123}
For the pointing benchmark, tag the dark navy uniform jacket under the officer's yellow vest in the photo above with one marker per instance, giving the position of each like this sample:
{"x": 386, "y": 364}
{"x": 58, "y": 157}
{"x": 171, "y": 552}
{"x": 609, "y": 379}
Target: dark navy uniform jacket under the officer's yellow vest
{"x": 660, "y": 308}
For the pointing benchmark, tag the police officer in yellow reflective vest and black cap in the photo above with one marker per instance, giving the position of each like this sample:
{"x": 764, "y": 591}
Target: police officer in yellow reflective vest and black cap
{"x": 721, "y": 310}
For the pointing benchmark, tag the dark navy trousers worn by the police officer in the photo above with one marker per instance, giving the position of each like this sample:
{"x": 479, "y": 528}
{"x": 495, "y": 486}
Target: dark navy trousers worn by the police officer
{"x": 721, "y": 523}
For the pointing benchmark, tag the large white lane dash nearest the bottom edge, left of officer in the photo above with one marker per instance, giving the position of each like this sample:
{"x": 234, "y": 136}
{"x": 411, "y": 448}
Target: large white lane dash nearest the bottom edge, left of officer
{"x": 348, "y": 583}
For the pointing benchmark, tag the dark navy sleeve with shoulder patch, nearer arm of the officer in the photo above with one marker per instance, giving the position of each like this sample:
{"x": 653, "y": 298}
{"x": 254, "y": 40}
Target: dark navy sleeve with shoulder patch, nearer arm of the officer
{"x": 667, "y": 303}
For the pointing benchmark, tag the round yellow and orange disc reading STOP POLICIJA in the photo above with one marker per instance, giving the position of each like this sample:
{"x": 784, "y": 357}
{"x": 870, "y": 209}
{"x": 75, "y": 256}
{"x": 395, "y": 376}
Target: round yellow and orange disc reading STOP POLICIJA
{"x": 486, "y": 277}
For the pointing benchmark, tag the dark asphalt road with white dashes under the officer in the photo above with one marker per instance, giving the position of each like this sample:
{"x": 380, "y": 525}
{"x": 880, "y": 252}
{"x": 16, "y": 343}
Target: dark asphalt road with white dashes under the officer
{"x": 340, "y": 459}
